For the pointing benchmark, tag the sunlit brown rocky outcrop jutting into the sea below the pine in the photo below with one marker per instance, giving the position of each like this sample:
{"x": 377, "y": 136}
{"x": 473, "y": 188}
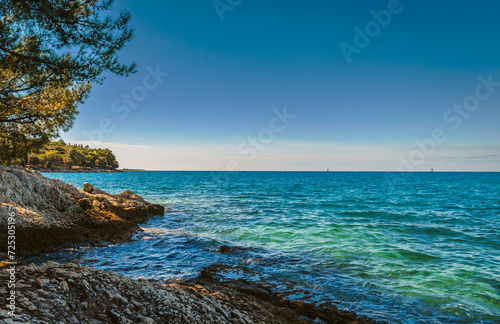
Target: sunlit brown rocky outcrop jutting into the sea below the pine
{"x": 51, "y": 214}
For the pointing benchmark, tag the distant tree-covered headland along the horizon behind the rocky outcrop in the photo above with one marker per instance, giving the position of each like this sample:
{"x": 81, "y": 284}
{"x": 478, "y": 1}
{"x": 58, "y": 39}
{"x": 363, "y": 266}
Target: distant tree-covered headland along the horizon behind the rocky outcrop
{"x": 61, "y": 155}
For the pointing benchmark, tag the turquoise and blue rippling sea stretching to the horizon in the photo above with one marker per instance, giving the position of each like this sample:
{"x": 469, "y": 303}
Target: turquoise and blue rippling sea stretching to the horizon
{"x": 405, "y": 248}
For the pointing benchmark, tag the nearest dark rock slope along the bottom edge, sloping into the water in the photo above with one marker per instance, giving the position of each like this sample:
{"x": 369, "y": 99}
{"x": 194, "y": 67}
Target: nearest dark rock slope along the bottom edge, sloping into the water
{"x": 54, "y": 293}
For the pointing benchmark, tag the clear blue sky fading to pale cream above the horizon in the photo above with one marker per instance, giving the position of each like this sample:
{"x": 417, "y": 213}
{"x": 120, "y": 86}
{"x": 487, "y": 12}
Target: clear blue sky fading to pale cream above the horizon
{"x": 303, "y": 85}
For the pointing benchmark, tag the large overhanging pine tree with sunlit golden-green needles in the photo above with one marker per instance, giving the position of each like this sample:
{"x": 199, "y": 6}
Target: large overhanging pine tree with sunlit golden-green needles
{"x": 51, "y": 51}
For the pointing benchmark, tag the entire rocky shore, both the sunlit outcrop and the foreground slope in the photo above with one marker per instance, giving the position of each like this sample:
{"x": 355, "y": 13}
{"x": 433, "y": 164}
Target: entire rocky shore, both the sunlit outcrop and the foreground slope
{"x": 50, "y": 214}
